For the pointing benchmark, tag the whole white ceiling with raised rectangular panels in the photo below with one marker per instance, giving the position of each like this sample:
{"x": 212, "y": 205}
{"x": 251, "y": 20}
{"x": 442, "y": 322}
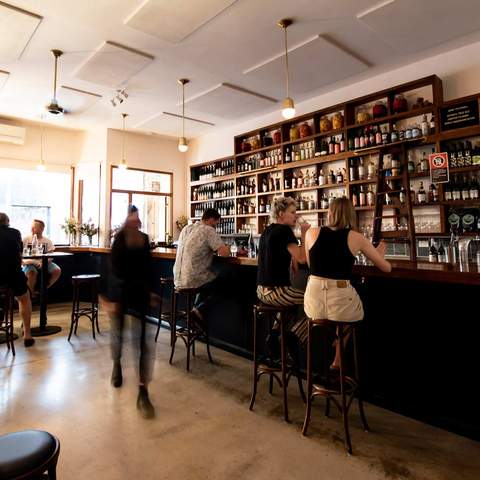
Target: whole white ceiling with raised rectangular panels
{"x": 226, "y": 48}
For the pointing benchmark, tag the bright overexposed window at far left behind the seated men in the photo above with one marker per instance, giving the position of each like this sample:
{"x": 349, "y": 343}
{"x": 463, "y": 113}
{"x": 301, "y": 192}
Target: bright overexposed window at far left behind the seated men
{"x": 29, "y": 194}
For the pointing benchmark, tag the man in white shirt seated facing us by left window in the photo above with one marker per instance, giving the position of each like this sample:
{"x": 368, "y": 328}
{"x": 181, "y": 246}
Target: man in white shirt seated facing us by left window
{"x": 32, "y": 267}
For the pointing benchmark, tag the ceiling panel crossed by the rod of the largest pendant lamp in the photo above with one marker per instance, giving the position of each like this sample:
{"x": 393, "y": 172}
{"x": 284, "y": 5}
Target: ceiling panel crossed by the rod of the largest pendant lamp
{"x": 316, "y": 62}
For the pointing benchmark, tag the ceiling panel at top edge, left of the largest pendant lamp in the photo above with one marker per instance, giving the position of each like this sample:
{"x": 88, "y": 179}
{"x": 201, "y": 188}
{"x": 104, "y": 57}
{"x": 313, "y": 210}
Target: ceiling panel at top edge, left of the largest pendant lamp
{"x": 174, "y": 21}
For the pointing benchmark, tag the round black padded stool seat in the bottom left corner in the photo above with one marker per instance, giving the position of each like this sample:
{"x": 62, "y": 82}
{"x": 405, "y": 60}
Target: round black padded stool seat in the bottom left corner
{"x": 27, "y": 452}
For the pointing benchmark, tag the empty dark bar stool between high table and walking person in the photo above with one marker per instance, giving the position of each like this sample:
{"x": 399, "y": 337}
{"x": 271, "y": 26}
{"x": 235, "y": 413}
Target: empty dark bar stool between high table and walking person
{"x": 91, "y": 312}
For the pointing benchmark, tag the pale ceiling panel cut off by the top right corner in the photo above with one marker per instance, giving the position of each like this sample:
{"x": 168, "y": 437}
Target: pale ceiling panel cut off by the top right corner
{"x": 411, "y": 26}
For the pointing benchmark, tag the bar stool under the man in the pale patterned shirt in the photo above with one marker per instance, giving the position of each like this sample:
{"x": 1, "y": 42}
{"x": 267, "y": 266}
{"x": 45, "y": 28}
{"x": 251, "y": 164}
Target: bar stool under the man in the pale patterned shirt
{"x": 192, "y": 331}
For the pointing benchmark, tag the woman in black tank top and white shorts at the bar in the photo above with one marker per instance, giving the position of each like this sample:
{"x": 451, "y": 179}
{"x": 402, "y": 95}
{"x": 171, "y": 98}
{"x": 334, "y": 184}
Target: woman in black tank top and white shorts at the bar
{"x": 330, "y": 253}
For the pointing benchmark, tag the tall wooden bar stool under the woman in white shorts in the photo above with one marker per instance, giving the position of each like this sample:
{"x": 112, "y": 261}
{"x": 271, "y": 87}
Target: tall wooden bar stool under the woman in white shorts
{"x": 336, "y": 386}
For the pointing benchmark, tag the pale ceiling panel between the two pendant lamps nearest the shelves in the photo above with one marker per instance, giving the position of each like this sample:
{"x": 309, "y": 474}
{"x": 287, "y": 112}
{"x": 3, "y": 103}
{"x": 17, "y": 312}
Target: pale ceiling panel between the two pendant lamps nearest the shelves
{"x": 229, "y": 101}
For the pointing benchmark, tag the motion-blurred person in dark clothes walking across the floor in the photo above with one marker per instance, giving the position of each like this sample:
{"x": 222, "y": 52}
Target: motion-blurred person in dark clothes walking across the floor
{"x": 129, "y": 293}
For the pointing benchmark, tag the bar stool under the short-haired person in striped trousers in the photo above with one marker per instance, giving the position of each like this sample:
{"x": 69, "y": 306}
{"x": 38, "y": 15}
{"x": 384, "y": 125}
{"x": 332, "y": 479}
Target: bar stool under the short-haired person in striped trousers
{"x": 266, "y": 366}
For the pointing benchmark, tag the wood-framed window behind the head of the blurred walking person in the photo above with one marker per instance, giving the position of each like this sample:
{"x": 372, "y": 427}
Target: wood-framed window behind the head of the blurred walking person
{"x": 150, "y": 192}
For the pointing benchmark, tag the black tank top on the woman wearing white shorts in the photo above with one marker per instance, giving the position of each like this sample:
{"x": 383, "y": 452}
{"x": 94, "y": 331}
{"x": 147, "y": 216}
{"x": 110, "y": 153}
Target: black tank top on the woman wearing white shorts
{"x": 330, "y": 256}
